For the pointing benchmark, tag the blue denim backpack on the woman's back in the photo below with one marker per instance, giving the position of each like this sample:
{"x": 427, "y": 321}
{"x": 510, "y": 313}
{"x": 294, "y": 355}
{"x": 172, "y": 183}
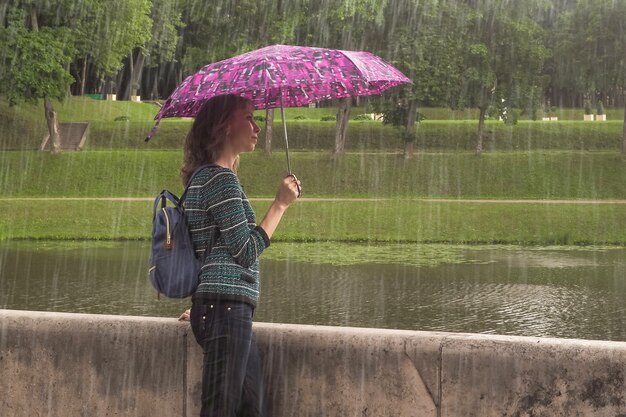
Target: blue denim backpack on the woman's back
{"x": 174, "y": 267}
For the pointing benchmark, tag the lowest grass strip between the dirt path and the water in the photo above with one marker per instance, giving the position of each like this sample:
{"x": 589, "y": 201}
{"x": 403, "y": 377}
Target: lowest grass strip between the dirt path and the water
{"x": 384, "y": 221}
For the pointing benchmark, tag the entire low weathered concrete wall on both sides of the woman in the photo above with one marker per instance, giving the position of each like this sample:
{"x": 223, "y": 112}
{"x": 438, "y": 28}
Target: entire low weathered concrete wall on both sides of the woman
{"x": 55, "y": 364}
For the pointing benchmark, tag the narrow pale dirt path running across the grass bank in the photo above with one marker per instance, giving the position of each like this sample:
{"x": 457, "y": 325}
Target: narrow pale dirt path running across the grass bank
{"x": 314, "y": 199}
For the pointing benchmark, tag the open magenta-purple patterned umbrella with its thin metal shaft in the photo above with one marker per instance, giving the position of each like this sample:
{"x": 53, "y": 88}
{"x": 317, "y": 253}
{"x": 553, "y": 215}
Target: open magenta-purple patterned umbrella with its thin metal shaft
{"x": 283, "y": 76}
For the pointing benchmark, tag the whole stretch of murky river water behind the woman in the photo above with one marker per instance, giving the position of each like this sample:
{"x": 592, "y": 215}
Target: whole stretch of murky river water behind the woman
{"x": 556, "y": 292}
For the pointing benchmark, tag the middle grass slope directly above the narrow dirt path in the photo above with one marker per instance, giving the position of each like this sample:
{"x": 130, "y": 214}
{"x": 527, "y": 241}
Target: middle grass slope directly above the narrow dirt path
{"x": 518, "y": 175}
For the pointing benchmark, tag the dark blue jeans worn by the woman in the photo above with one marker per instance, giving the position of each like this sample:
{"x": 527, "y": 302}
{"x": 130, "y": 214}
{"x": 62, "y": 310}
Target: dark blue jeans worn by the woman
{"x": 231, "y": 374}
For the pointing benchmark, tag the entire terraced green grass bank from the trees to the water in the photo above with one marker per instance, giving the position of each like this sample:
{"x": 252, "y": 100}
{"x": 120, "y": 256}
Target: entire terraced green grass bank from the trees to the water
{"x": 531, "y": 160}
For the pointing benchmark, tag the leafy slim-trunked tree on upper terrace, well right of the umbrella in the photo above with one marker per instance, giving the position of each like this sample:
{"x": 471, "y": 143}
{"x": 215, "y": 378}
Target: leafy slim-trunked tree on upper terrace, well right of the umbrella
{"x": 503, "y": 58}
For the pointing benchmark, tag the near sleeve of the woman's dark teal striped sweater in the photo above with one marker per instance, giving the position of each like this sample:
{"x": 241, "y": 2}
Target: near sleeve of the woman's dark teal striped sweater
{"x": 224, "y": 196}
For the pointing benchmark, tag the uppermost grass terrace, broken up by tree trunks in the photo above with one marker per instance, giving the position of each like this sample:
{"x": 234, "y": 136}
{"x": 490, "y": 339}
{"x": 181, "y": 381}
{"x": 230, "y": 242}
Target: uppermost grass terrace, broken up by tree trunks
{"x": 23, "y": 127}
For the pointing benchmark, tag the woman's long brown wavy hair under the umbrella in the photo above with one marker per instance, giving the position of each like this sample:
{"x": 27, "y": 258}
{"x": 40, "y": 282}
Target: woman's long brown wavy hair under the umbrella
{"x": 208, "y": 133}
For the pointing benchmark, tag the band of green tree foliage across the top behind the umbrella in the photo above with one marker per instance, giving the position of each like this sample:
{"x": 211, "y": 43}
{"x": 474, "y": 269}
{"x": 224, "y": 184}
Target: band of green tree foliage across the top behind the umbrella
{"x": 495, "y": 55}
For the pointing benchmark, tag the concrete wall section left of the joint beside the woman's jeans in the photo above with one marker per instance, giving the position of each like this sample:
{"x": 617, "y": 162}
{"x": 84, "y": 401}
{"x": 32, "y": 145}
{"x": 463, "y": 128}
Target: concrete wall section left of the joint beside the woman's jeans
{"x": 54, "y": 364}
